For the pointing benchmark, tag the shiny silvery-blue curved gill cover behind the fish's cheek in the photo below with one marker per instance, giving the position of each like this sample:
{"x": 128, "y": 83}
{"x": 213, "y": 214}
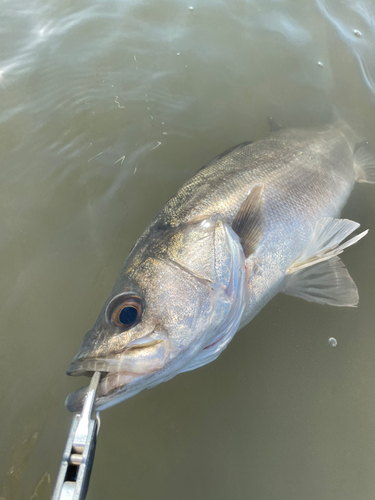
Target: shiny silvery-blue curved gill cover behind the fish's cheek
{"x": 215, "y": 255}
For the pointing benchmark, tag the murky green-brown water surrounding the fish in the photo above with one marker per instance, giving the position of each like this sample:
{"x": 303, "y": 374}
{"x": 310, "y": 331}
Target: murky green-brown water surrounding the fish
{"x": 107, "y": 107}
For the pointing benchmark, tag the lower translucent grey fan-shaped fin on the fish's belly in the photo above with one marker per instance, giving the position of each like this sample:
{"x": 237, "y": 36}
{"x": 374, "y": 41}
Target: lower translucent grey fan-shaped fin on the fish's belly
{"x": 325, "y": 283}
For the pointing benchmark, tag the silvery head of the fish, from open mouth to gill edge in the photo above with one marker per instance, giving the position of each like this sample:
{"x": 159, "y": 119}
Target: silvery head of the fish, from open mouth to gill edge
{"x": 180, "y": 290}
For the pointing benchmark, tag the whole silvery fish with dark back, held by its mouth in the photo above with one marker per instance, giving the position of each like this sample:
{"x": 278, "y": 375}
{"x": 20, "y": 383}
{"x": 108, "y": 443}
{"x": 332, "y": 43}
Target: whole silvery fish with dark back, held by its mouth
{"x": 259, "y": 219}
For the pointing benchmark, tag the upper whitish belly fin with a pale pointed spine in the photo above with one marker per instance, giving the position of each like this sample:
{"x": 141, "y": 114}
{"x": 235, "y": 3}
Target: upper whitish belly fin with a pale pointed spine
{"x": 326, "y": 242}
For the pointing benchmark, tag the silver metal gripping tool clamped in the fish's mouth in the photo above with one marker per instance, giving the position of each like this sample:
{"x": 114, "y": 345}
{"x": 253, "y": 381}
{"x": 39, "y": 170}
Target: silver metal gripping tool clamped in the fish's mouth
{"x": 76, "y": 465}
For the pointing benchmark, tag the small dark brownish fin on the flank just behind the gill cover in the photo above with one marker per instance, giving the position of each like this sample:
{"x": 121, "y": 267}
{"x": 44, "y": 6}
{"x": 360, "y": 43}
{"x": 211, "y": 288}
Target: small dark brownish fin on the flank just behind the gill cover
{"x": 248, "y": 224}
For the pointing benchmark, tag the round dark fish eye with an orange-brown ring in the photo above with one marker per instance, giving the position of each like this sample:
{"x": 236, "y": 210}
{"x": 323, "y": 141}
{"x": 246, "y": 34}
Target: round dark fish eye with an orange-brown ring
{"x": 125, "y": 311}
